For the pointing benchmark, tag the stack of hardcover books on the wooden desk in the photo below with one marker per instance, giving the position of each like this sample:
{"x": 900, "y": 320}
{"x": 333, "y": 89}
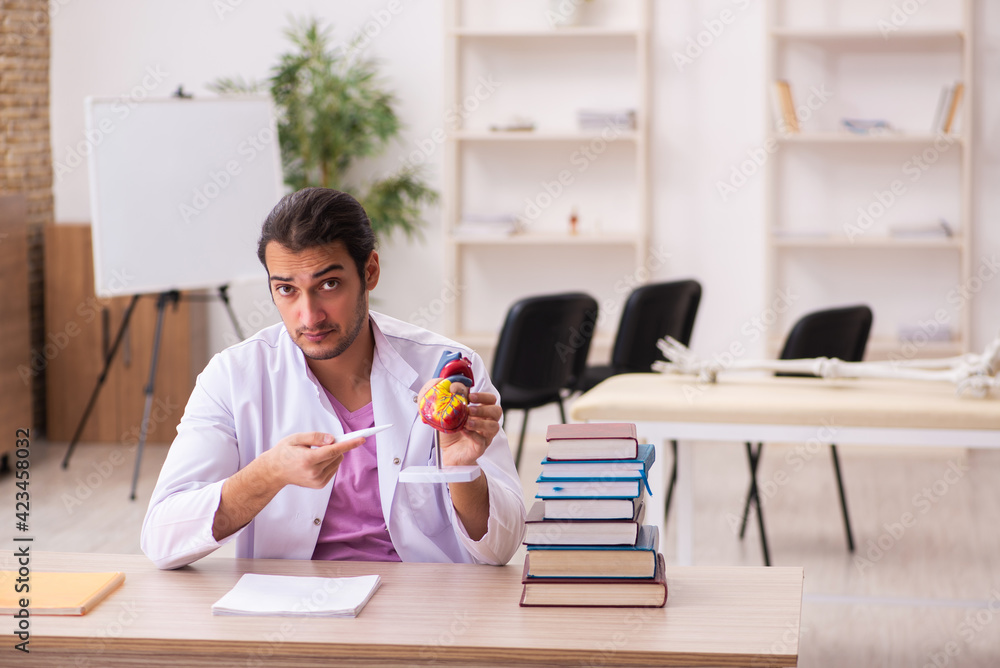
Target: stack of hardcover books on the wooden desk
{"x": 587, "y": 545}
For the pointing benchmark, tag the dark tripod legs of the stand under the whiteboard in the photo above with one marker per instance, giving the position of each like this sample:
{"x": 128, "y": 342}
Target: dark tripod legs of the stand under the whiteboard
{"x": 164, "y": 298}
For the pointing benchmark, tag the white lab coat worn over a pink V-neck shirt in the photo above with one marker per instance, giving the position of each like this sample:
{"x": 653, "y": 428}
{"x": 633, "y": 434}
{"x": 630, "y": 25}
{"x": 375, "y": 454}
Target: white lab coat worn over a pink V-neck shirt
{"x": 255, "y": 393}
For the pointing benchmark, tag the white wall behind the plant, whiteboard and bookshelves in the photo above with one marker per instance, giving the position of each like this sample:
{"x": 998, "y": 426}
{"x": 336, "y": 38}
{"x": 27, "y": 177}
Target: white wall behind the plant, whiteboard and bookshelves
{"x": 707, "y": 115}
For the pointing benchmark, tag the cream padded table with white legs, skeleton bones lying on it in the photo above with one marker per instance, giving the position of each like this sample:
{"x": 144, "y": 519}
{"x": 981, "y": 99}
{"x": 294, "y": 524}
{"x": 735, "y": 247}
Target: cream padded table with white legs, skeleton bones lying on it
{"x": 781, "y": 409}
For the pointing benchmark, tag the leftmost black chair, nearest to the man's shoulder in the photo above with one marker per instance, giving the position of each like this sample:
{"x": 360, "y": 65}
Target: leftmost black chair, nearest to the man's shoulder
{"x": 542, "y": 349}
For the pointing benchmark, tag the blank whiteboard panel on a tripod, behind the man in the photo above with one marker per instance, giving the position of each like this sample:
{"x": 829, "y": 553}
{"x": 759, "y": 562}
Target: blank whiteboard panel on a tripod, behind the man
{"x": 178, "y": 190}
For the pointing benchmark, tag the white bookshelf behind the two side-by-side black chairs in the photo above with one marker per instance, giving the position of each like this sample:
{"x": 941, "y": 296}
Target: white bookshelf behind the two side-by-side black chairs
{"x": 611, "y": 44}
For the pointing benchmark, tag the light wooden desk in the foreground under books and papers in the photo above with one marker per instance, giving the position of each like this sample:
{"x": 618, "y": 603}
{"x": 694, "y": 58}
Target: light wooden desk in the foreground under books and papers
{"x": 424, "y": 614}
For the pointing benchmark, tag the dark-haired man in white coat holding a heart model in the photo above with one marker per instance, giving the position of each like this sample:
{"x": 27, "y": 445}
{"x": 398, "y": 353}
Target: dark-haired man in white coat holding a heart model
{"x": 259, "y": 457}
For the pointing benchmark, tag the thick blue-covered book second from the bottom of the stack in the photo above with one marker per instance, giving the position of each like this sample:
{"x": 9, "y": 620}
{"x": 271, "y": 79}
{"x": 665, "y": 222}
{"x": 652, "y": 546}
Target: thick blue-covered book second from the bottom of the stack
{"x": 598, "y": 561}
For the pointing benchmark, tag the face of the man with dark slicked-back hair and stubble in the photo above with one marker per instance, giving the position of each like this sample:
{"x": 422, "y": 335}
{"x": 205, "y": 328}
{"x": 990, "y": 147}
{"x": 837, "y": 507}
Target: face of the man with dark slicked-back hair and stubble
{"x": 320, "y": 296}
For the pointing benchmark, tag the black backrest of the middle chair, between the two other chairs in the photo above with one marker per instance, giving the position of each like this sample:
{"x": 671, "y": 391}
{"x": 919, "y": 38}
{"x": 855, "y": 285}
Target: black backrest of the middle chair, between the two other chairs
{"x": 651, "y": 313}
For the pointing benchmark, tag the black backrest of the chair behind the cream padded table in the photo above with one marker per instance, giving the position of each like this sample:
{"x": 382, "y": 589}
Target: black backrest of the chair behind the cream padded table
{"x": 839, "y": 332}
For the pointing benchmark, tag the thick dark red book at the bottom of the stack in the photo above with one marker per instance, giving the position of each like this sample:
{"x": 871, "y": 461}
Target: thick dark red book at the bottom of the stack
{"x": 595, "y": 592}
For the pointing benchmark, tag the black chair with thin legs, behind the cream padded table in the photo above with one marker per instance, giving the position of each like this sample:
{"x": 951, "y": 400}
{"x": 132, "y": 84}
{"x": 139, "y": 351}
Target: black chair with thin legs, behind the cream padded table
{"x": 841, "y": 333}
